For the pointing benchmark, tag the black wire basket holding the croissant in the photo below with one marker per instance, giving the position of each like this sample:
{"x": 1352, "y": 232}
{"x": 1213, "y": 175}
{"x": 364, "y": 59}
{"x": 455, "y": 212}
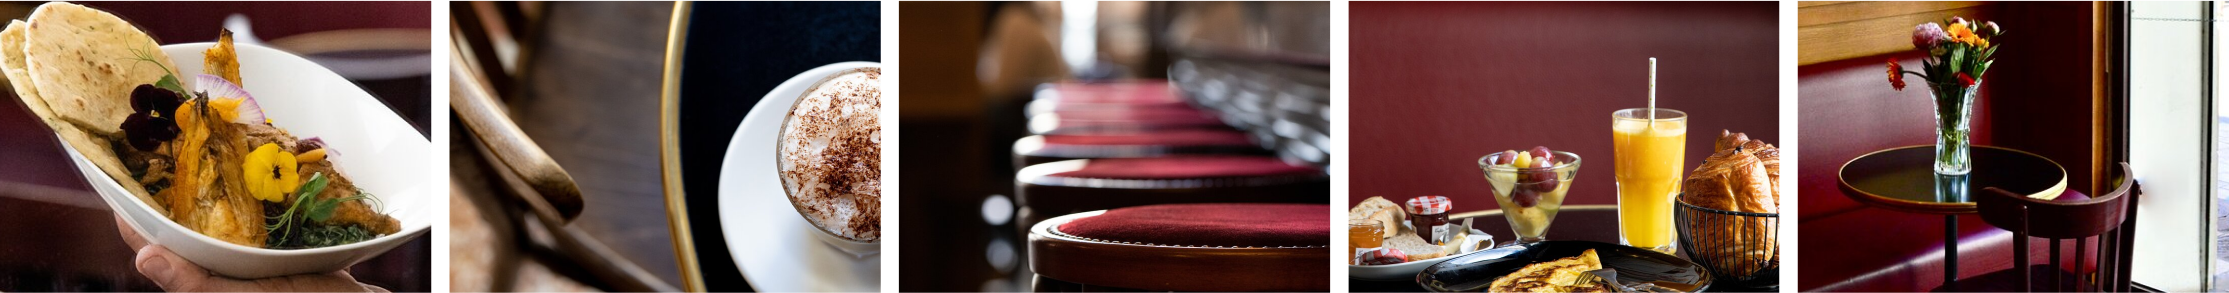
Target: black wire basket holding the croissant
{"x": 1738, "y": 247}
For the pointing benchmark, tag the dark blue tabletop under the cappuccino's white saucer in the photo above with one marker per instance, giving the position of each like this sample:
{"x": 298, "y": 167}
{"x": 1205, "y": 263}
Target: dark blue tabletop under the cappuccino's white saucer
{"x": 734, "y": 55}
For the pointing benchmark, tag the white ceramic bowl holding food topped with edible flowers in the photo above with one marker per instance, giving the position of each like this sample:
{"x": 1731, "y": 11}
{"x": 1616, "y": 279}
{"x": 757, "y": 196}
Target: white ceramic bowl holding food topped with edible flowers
{"x": 373, "y": 146}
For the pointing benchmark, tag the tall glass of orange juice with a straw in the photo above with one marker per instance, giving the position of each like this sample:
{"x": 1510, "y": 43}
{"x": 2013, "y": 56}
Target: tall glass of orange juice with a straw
{"x": 1648, "y": 169}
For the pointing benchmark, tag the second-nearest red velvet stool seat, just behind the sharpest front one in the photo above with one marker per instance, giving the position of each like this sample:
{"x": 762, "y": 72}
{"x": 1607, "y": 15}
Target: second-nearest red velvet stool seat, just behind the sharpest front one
{"x": 1100, "y": 185}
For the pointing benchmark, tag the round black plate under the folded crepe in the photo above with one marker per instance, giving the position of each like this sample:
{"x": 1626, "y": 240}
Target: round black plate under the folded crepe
{"x": 1474, "y": 272}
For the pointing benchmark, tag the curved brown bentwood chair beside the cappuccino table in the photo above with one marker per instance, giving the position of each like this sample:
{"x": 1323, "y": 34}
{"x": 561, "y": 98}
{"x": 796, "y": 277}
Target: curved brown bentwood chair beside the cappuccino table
{"x": 527, "y": 185}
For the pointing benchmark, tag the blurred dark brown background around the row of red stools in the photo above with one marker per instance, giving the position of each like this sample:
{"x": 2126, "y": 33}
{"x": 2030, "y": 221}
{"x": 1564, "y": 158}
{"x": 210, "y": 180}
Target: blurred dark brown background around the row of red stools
{"x": 966, "y": 70}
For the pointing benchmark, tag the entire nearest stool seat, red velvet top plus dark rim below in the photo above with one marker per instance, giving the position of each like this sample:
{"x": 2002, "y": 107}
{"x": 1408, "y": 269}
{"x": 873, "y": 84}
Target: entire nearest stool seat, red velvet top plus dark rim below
{"x": 1191, "y": 247}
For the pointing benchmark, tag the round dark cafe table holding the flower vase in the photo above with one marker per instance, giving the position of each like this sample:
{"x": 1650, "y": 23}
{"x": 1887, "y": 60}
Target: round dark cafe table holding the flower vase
{"x": 1905, "y": 180}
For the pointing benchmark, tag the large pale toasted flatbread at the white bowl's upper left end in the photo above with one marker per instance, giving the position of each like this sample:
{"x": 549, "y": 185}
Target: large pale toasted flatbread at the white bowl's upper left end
{"x": 86, "y": 64}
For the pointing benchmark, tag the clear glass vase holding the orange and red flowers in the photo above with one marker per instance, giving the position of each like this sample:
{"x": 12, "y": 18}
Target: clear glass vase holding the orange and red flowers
{"x": 1954, "y": 120}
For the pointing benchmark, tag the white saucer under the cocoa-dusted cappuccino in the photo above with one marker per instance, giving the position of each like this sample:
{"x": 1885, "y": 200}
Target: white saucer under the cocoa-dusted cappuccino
{"x": 772, "y": 245}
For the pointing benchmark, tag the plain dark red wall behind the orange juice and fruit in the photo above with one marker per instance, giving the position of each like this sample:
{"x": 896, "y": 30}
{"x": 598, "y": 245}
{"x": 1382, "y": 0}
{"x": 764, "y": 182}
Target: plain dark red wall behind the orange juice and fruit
{"x": 1439, "y": 84}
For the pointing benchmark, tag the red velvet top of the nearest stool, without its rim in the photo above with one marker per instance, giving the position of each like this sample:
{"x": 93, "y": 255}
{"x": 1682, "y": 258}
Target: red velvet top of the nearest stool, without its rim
{"x": 1211, "y": 225}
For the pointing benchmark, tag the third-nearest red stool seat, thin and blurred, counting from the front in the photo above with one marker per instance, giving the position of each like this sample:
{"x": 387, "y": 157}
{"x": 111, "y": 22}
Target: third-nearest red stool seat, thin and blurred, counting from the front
{"x": 1044, "y": 149}
